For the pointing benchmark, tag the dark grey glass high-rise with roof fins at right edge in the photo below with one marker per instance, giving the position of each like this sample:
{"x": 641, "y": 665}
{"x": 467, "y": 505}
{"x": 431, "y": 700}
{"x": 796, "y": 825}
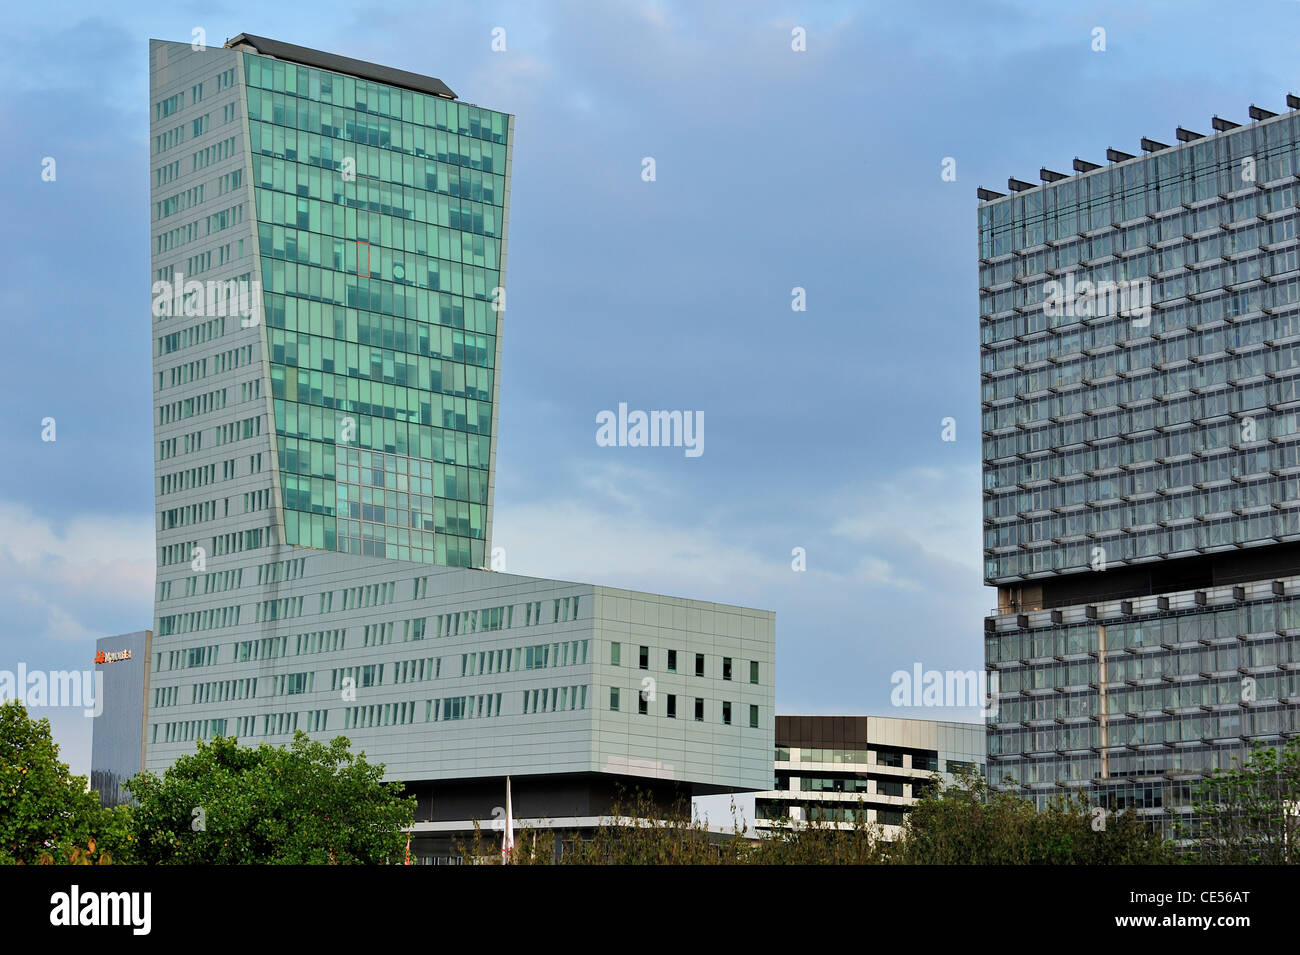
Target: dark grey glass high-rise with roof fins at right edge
{"x": 1141, "y": 357}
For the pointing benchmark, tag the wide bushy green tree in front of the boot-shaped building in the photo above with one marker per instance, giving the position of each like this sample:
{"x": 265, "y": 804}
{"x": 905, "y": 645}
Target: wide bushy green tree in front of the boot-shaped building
{"x": 309, "y": 804}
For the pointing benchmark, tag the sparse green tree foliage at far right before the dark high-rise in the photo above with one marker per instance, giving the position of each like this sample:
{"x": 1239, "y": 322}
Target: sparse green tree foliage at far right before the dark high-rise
{"x": 1251, "y": 815}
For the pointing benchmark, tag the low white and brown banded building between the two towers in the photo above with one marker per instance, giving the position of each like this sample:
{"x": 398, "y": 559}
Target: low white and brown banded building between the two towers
{"x": 844, "y": 770}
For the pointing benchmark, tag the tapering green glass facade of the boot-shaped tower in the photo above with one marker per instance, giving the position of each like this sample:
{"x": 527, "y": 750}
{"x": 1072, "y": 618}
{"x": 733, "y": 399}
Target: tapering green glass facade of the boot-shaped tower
{"x": 382, "y": 235}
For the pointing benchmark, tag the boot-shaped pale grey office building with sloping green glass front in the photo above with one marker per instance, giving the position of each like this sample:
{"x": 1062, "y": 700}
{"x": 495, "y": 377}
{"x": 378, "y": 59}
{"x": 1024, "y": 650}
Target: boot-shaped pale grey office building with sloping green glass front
{"x": 326, "y": 450}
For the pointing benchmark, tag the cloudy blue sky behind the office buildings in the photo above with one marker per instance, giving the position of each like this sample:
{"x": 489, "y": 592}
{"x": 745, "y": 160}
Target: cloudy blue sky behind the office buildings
{"x": 777, "y": 170}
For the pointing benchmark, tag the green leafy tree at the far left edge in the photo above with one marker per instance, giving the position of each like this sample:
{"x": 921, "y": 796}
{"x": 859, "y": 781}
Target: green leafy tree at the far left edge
{"x": 46, "y": 813}
